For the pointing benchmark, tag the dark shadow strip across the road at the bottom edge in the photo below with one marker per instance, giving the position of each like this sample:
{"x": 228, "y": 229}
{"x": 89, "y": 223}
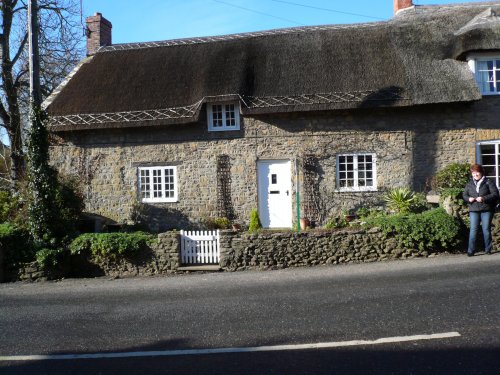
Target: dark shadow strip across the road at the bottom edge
{"x": 359, "y": 360}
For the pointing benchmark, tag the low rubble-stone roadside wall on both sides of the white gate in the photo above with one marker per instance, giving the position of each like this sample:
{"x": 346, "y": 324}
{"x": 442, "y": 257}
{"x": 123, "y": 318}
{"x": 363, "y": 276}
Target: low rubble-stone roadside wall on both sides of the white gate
{"x": 239, "y": 251}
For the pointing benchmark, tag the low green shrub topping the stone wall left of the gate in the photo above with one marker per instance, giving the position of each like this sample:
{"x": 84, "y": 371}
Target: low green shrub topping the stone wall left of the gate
{"x": 111, "y": 245}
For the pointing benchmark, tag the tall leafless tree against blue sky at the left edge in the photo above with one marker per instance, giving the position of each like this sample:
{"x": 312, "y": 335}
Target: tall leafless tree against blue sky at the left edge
{"x": 61, "y": 47}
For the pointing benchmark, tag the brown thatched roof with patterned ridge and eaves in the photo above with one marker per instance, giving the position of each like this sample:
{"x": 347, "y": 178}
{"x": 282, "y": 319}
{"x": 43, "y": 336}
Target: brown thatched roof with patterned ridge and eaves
{"x": 415, "y": 58}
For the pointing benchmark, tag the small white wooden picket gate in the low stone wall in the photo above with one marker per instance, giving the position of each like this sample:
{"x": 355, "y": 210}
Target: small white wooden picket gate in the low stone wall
{"x": 200, "y": 247}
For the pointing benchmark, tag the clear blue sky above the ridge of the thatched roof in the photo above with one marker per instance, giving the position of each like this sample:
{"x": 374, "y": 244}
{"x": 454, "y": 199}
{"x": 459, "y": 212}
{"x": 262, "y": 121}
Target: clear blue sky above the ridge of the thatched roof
{"x": 153, "y": 20}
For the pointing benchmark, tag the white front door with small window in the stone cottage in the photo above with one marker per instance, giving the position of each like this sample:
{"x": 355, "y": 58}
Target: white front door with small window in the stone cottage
{"x": 275, "y": 193}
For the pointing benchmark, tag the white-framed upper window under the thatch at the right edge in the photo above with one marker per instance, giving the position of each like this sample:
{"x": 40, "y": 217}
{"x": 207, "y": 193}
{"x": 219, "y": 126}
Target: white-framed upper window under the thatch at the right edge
{"x": 486, "y": 69}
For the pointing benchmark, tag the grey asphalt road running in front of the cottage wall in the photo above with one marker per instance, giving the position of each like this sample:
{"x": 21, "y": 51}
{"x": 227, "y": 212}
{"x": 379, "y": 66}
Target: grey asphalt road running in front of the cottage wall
{"x": 178, "y": 324}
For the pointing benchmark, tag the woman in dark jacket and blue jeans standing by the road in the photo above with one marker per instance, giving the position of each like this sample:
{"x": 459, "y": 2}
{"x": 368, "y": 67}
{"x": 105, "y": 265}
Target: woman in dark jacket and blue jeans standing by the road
{"x": 481, "y": 194}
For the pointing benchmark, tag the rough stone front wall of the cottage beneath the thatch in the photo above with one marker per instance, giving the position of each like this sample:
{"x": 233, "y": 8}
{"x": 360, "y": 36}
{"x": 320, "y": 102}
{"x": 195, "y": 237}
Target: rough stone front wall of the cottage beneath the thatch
{"x": 410, "y": 144}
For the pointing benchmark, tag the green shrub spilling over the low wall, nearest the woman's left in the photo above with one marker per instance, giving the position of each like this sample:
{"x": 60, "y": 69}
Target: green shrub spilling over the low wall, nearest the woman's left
{"x": 429, "y": 230}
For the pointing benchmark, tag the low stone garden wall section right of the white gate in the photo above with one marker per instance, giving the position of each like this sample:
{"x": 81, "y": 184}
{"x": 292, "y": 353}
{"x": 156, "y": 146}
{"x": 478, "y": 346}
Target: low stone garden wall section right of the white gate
{"x": 283, "y": 250}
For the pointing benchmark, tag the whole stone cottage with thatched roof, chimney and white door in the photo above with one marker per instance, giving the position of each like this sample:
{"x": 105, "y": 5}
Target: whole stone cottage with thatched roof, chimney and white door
{"x": 312, "y": 119}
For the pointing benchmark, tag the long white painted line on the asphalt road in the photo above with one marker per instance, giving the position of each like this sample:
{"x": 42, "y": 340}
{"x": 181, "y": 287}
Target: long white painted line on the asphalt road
{"x": 323, "y": 345}
